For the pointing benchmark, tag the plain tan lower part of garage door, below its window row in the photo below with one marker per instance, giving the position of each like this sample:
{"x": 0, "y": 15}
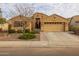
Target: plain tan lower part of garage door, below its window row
{"x": 53, "y": 27}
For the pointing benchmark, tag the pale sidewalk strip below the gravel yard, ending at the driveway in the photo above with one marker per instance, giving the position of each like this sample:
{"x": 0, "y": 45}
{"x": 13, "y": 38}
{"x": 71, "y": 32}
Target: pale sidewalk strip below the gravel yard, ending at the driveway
{"x": 23, "y": 44}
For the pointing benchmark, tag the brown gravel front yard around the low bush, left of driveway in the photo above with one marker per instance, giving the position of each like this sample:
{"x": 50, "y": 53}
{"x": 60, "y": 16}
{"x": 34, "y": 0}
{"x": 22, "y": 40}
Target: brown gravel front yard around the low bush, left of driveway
{"x": 14, "y": 37}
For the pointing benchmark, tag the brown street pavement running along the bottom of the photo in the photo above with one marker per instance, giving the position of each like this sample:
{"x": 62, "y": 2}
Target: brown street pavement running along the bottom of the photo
{"x": 39, "y": 51}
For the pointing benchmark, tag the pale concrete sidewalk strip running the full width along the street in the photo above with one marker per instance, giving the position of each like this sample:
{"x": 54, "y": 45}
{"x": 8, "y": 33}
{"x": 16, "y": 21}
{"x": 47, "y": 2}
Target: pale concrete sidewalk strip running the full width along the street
{"x": 36, "y": 44}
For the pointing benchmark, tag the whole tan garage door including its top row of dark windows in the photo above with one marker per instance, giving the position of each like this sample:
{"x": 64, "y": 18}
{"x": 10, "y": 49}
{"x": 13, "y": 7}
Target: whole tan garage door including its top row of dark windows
{"x": 53, "y": 26}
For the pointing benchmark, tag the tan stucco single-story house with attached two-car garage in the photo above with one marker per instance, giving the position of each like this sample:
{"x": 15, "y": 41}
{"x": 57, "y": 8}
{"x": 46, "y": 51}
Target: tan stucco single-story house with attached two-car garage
{"x": 40, "y": 22}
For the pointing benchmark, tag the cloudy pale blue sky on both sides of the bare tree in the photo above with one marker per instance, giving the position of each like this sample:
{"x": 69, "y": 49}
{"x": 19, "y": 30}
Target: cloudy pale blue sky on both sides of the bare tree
{"x": 66, "y": 10}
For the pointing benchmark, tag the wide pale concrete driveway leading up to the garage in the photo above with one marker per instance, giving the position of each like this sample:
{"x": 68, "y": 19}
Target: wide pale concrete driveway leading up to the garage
{"x": 60, "y": 39}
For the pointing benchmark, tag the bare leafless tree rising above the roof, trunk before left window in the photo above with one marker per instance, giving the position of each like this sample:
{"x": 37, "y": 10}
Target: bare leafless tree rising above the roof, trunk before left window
{"x": 24, "y": 10}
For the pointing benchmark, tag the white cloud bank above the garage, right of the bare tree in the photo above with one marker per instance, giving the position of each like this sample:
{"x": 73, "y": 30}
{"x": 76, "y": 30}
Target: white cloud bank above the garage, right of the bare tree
{"x": 63, "y": 9}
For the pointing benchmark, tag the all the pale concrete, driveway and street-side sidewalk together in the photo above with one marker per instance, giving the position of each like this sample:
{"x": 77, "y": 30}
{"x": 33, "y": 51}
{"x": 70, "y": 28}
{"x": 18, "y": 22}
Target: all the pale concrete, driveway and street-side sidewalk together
{"x": 47, "y": 39}
